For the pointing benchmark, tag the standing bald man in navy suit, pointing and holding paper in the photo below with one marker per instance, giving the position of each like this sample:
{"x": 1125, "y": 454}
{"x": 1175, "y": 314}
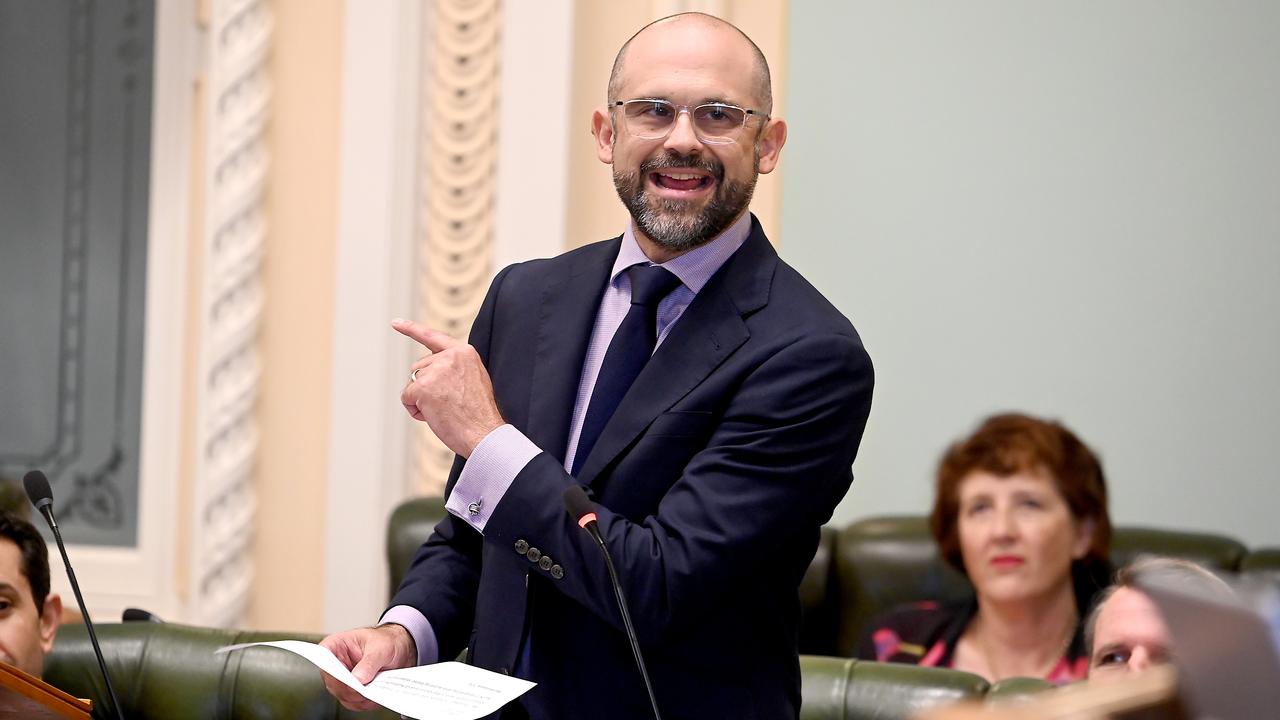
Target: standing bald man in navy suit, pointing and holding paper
{"x": 708, "y": 399}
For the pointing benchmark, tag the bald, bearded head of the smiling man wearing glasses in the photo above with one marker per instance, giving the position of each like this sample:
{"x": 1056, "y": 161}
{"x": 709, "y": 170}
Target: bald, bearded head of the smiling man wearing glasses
{"x": 688, "y": 176}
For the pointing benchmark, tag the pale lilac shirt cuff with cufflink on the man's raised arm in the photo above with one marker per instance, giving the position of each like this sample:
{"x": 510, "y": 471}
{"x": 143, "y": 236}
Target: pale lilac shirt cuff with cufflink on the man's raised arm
{"x": 488, "y": 473}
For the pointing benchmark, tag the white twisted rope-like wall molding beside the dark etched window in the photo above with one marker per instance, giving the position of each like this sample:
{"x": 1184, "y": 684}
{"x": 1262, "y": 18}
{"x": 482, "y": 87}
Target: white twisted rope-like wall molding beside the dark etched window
{"x": 230, "y": 368}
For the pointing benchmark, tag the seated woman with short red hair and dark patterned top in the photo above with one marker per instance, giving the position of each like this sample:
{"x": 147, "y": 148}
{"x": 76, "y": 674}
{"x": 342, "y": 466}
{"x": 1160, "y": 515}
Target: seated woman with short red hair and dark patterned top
{"x": 1022, "y": 511}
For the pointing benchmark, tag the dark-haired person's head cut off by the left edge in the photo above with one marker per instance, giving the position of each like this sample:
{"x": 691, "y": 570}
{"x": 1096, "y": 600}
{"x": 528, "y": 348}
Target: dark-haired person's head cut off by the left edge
{"x": 29, "y": 612}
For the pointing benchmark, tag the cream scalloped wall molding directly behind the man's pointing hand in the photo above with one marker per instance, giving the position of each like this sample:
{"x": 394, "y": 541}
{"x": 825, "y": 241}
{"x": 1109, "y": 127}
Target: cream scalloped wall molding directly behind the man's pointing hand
{"x": 459, "y": 134}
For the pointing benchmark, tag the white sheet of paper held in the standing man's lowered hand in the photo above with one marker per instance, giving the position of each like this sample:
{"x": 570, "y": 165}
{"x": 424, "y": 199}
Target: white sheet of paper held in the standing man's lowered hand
{"x": 446, "y": 691}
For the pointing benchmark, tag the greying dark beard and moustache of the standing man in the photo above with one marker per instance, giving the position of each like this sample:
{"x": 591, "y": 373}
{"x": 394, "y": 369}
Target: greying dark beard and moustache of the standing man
{"x": 678, "y": 225}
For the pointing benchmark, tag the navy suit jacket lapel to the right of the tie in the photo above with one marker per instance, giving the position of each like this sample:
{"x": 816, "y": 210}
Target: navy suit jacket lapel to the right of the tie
{"x": 708, "y": 332}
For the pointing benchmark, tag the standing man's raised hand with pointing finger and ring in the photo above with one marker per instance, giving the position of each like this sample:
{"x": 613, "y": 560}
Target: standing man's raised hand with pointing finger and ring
{"x": 452, "y": 391}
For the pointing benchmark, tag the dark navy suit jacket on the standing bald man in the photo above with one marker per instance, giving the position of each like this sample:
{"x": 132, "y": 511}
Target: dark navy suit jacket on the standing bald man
{"x": 712, "y": 481}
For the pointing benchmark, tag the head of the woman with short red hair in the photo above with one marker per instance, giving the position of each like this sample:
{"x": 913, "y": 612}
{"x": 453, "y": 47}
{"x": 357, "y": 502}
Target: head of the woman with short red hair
{"x": 1022, "y": 509}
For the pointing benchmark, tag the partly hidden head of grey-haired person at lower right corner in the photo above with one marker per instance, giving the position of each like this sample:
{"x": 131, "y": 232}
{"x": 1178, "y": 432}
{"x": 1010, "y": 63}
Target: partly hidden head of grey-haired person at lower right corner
{"x": 1126, "y": 632}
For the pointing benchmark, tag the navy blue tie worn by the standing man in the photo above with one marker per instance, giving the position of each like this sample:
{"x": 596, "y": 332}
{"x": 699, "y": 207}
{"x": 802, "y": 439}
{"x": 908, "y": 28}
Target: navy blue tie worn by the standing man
{"x": 629, "y": 352}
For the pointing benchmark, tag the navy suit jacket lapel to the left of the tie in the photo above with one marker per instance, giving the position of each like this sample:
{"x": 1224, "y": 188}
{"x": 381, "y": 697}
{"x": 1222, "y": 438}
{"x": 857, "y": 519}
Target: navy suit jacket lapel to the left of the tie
{"x": 565, "y": 323}
